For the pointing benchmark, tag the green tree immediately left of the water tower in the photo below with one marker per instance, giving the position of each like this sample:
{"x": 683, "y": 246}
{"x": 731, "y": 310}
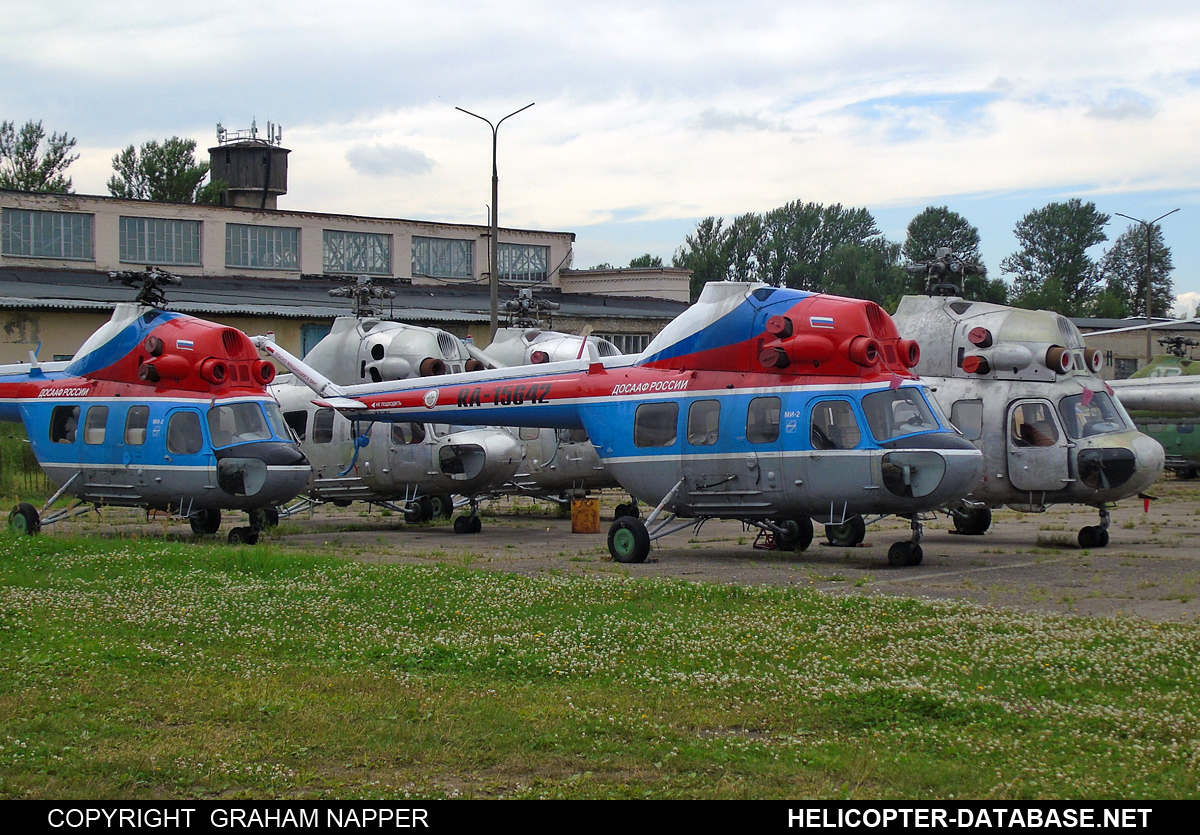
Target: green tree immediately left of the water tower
{"x": 166, "y": 172}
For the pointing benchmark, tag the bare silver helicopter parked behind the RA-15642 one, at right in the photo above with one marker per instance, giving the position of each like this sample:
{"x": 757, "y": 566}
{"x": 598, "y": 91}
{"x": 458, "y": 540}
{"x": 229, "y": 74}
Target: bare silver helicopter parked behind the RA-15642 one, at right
{"x": 1023, "y": 387}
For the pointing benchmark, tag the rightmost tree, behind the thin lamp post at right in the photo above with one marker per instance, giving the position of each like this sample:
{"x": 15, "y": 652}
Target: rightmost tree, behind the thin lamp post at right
{"x": 1124, "y": 269}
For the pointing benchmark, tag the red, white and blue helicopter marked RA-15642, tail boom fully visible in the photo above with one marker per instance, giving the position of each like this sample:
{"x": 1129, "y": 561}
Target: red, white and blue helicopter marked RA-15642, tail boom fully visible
{"x": 771, "y": 406}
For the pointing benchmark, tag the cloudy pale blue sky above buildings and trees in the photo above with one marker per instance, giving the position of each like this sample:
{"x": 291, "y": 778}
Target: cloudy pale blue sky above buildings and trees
{"x": 650, "y": 116}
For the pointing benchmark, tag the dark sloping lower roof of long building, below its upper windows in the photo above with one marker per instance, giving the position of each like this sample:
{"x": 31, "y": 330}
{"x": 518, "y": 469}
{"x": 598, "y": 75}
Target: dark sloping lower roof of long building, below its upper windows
{"x": 308, "y": 298}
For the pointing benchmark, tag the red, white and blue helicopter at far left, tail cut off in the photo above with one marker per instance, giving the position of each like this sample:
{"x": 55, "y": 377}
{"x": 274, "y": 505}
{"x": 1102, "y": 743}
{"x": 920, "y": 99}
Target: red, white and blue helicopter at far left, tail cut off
{"x": 158, "y": 411}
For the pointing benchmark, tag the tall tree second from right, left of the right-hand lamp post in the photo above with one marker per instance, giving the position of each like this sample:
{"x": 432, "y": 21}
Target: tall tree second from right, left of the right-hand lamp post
{"x": 1053, "y": 269}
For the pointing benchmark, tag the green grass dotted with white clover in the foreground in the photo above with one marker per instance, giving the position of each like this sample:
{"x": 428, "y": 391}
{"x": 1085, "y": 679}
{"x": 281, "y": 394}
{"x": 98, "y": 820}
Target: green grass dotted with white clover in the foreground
{"x": 155, "y": 670}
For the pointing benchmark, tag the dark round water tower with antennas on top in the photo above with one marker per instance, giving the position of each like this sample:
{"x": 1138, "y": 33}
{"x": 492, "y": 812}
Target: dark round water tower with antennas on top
{"x": 254, "y": 166}
